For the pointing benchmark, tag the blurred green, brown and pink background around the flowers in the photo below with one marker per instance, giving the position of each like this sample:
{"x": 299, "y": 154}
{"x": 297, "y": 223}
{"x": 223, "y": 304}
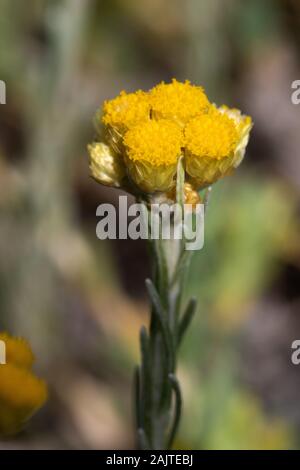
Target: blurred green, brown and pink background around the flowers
{"x": 81, "y": 301}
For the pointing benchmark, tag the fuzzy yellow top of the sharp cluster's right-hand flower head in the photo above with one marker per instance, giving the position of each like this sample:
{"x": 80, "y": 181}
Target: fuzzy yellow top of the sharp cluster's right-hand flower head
{"x": 211, "y": 135}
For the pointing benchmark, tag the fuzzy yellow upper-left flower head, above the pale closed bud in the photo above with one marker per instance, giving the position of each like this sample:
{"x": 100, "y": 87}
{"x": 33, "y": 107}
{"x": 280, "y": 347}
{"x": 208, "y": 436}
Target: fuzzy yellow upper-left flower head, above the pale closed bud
{"x": 126, "y": 110}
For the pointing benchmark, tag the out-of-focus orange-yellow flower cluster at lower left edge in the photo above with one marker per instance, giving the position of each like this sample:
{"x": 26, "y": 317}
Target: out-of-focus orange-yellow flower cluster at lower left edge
{"x": 21, "y": 392}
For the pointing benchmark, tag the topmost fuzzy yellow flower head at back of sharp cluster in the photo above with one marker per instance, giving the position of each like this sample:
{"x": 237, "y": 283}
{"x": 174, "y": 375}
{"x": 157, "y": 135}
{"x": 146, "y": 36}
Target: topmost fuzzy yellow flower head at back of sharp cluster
{"x": 178, "y": 101}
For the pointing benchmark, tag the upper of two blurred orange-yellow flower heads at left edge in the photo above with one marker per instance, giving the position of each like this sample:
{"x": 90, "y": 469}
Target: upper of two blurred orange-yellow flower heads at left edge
{"x": 18, "y": 351}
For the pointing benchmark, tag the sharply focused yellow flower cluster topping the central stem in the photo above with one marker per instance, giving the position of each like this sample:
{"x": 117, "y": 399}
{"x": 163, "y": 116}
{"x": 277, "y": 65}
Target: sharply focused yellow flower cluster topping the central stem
{"x": 145, "y": 134}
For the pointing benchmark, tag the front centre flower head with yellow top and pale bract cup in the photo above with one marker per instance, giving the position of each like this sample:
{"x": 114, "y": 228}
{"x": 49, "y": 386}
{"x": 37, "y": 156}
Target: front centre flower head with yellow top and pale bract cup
{"x": 152, "y": 152}
